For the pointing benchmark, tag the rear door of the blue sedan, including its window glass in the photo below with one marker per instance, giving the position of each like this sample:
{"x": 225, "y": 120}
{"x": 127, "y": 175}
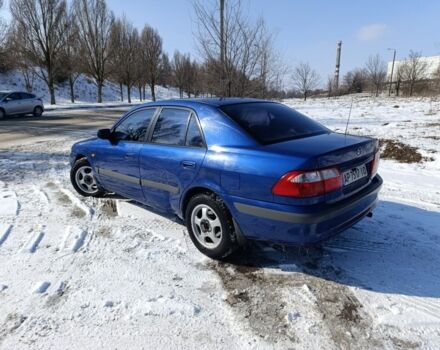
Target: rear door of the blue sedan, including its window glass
{"x": 171, "y": 160}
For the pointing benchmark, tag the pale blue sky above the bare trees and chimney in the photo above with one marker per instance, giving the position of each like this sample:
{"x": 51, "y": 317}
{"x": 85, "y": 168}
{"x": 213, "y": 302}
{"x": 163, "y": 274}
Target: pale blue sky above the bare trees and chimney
{"x": 309, "y": 30}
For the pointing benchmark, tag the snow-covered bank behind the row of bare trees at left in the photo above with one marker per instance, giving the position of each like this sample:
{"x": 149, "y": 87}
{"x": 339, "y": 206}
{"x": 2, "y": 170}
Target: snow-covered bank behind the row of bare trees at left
{"x": 85, "y": 91}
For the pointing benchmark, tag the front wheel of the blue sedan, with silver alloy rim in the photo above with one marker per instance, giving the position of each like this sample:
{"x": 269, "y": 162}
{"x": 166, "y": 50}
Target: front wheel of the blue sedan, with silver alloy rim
{"x": 83, "y": 179}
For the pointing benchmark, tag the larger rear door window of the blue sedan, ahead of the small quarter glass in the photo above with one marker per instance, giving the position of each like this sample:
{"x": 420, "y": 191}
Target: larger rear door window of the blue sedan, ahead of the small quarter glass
{"x": 171, "y": 126}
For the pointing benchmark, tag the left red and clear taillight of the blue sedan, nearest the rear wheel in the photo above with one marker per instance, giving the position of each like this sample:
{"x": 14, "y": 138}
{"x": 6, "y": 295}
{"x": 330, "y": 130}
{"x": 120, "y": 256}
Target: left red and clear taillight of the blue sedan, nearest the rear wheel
{"x": 308, "y": 183}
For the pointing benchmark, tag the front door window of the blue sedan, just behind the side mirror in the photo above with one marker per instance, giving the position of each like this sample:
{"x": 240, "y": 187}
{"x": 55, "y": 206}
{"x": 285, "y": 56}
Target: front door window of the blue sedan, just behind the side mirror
{"x": 135, "y": 126}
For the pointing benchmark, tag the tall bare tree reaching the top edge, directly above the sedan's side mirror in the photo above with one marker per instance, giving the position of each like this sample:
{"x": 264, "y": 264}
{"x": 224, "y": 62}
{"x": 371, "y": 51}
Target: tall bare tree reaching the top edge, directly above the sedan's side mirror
{"x": 94, "y": 21}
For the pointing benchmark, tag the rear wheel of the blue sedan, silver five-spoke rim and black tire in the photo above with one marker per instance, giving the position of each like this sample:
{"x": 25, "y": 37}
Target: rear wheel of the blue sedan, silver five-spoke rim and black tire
{"x": 210, "y": 226}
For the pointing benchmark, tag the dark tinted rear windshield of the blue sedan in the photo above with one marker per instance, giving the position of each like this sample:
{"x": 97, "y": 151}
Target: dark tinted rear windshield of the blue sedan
{"x": 272, "y": 122}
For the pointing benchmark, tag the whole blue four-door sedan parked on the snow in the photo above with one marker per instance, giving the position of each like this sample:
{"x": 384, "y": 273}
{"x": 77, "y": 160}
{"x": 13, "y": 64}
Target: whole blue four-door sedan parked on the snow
{"x": 233, "y": 169}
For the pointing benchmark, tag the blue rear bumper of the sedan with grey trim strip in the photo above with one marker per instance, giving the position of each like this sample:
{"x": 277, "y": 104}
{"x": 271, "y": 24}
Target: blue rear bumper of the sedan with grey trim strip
{"x": 303, "y": 225}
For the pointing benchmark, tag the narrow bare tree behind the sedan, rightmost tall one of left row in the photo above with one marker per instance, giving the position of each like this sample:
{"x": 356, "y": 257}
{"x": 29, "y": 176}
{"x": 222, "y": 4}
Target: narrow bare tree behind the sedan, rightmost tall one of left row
{"x": 151, "y": 51}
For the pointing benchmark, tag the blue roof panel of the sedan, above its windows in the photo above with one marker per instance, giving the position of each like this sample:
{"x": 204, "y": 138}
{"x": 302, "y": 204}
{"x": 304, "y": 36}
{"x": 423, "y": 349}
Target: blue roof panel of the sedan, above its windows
{"x": 214, "y": 102}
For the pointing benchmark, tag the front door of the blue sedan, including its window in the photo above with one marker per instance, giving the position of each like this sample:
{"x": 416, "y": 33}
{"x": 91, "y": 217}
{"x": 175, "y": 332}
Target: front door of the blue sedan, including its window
{"x": 117, "y": 160}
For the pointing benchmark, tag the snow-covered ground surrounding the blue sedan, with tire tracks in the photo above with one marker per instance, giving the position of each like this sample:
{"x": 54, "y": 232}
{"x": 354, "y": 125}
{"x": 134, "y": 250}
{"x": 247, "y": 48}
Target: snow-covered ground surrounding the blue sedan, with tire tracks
{"x": 104, "y": 273}
